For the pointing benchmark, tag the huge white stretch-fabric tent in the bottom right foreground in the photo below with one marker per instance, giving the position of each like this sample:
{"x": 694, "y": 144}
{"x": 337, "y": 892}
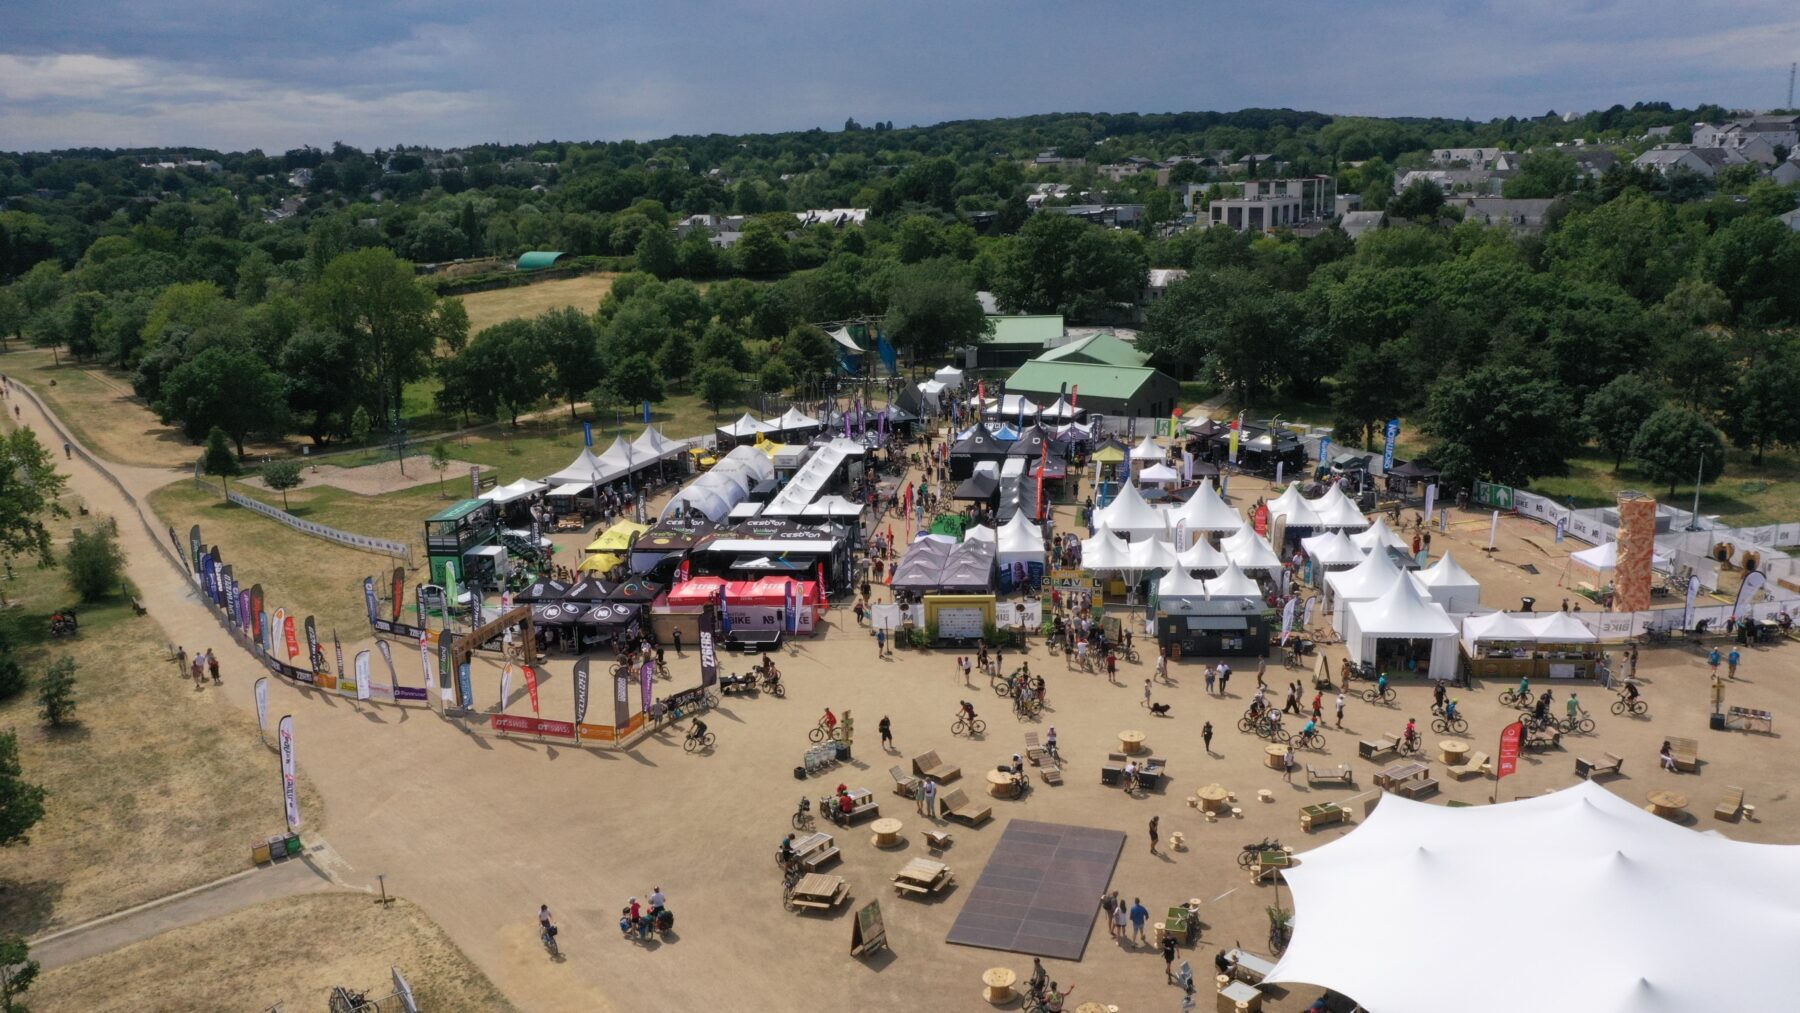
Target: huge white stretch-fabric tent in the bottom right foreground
{"x": 1630, "y": 886}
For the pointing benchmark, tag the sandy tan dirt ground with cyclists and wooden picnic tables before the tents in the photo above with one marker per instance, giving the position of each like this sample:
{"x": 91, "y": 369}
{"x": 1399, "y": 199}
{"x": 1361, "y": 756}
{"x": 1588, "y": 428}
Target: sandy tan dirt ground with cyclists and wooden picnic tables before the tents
{"x": 478, "y": 830}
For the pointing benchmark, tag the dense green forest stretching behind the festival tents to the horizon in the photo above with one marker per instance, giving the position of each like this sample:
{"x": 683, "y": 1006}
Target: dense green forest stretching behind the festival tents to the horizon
{"x": 276, "y": 294}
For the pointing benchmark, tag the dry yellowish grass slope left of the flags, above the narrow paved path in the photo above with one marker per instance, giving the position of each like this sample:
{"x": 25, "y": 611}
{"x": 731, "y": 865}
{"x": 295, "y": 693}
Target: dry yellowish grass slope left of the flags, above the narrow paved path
{"x": 156, "y": 789}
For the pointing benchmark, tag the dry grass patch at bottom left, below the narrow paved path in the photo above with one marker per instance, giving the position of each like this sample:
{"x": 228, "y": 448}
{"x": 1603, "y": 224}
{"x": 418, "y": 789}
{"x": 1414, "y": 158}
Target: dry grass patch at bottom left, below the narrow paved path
{"x": 316, "y": 942}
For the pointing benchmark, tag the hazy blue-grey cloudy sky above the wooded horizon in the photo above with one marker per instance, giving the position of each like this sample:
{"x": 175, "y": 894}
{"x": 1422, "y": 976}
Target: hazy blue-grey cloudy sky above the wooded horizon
{"x": 278, "y": 75}
